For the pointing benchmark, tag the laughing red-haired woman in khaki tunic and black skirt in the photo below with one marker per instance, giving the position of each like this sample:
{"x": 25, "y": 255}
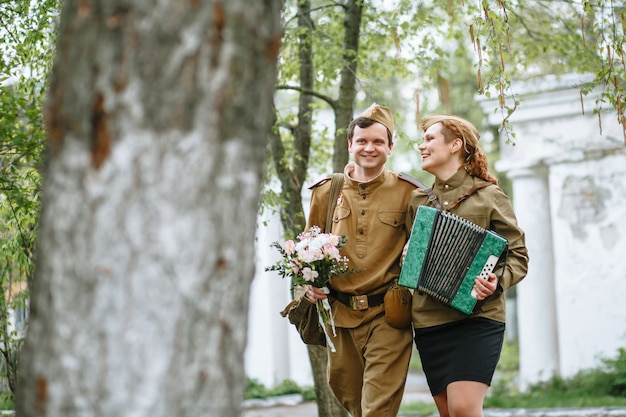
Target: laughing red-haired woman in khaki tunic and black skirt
{"x": 459, "y": 353}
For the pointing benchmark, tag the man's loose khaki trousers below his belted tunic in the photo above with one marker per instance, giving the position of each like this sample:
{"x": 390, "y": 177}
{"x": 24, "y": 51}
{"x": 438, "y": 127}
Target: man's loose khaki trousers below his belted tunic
{"x": 368, "y": 371}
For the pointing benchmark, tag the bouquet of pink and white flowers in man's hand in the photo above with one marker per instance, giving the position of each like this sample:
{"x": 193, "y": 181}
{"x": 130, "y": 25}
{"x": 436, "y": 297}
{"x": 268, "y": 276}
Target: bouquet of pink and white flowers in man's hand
{"x": 313, "y": 259}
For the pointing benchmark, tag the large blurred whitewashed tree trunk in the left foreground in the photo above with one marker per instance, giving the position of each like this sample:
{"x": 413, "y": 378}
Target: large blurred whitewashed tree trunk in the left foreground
{"x": 156, "y": 119}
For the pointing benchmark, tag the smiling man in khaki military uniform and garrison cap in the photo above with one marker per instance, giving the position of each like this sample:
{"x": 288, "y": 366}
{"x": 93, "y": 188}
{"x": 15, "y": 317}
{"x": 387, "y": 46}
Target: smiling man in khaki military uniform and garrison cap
{"x": 367, "y": 373}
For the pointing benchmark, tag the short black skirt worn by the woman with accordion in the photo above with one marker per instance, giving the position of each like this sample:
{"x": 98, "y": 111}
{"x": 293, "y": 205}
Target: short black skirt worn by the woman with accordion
{"x": 465, "y": 350}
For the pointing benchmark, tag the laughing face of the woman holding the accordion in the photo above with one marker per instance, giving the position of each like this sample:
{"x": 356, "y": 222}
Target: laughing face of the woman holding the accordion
{"x": 440, "y": 157}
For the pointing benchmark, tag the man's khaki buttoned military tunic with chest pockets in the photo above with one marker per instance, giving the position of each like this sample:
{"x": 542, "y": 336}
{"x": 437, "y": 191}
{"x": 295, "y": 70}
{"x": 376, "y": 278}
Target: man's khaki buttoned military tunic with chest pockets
{"x": 373, "y": 217}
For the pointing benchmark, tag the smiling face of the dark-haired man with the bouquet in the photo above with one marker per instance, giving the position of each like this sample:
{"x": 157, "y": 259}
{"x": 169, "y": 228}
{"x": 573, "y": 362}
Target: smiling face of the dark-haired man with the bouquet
{"x": 370, "y": 148}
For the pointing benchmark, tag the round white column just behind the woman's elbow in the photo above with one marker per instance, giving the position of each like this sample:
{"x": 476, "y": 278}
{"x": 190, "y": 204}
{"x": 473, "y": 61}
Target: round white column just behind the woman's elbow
{"x": 537, "y": 322}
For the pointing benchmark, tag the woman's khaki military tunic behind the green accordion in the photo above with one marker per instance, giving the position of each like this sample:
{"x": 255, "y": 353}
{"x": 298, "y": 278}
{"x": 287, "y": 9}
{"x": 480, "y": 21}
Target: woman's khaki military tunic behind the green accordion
{"x": 490, "y": 208}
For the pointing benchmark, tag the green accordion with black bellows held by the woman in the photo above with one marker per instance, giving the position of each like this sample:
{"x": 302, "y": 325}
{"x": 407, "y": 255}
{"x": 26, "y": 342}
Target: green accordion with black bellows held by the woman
{"x": 445, "y": 255}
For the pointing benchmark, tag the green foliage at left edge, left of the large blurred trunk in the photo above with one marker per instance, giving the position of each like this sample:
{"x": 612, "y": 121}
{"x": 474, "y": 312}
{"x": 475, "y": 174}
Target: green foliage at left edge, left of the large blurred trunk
{"x": 27, "y": 32}
